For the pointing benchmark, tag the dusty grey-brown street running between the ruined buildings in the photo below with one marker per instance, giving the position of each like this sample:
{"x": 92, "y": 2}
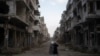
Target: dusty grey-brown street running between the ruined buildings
{"x": 43, "y": 51}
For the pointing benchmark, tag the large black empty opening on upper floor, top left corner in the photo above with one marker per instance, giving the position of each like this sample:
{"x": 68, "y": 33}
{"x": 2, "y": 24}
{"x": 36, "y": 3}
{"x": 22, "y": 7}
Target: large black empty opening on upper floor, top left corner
{"x": 4, "y": 8}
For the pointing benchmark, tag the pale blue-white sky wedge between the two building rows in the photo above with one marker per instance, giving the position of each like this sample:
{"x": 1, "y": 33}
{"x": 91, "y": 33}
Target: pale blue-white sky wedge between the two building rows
{"x": 52, "y": 10}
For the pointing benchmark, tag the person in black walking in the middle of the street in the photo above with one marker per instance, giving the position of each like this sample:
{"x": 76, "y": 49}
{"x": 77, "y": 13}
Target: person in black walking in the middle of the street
{"x": 53, "y": 50}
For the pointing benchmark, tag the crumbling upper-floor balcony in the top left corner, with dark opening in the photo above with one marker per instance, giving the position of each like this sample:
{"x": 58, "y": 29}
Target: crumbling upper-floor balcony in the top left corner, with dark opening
{"x": 12, "y": 10}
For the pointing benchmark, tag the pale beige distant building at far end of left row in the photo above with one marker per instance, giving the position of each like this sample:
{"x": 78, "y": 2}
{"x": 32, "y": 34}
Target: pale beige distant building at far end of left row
{"x": 43, "y": 31}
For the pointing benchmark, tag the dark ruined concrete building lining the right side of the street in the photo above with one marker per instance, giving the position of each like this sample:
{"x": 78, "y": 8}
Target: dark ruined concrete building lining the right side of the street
{"x": 80, "y": 24}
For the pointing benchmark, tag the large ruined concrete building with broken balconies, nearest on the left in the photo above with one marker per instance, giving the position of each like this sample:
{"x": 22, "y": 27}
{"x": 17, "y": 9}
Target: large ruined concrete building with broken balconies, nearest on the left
{"x": 19, "y": 20}
